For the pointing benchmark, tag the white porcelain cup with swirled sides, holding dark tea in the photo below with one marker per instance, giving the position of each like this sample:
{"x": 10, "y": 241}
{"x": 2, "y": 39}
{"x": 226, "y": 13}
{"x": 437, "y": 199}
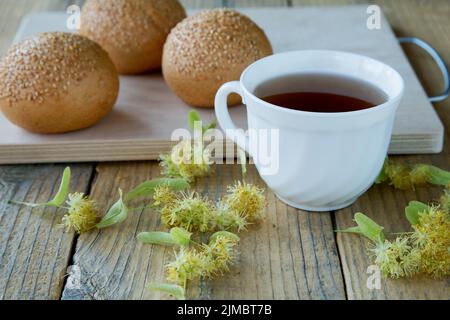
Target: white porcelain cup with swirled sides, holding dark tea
{"x": 326, "y": 160}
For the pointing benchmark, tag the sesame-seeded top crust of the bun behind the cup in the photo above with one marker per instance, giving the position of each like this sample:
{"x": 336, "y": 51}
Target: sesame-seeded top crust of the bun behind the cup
{"x": 214, "y": 41}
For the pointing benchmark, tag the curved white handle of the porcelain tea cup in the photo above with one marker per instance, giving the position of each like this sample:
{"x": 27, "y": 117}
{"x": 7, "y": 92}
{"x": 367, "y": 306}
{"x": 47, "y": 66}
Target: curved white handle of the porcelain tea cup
{"x": 224, "y": 118}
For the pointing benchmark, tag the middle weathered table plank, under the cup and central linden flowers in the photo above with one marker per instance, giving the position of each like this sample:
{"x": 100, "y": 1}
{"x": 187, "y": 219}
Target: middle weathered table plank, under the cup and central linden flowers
{"x": 291, "y": 255}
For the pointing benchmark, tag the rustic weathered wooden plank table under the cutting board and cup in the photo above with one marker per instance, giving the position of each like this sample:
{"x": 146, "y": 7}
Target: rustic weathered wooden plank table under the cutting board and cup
{"x": 292, "y": 255}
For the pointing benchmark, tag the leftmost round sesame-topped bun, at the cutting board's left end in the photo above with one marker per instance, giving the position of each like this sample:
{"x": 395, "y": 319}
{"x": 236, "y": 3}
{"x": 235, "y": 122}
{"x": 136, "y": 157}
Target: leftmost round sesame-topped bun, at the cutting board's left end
{"x": 57, "y": 82}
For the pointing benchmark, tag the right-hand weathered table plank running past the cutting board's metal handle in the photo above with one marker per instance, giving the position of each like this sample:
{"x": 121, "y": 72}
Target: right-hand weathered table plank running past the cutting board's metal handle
{"x": 427, "y": 20}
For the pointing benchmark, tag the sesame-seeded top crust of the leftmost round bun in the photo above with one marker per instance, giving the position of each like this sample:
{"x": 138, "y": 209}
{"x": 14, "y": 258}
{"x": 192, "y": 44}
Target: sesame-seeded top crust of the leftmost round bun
{"x": 39, "y": 66}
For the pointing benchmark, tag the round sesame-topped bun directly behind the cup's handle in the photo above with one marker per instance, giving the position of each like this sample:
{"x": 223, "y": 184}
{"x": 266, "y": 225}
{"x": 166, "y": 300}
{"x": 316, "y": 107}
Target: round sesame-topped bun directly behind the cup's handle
{"x": 208, "y": 49}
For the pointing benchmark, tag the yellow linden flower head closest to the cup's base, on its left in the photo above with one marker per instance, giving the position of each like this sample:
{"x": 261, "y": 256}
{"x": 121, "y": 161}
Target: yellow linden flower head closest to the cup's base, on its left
{"x": 248, "y": 200}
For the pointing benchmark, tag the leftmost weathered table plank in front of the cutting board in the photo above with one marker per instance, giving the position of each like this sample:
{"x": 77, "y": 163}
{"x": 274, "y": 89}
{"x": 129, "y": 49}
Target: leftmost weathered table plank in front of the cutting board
{"x": 34, "y": 250}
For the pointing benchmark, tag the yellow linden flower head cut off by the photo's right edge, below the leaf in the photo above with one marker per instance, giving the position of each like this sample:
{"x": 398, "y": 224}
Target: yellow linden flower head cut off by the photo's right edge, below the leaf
{"x": 432, "y": 237}
